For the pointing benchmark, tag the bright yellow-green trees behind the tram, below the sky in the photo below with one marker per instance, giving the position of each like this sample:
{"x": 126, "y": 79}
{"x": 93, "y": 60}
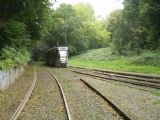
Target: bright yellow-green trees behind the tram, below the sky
{"x": 76, "y": 27}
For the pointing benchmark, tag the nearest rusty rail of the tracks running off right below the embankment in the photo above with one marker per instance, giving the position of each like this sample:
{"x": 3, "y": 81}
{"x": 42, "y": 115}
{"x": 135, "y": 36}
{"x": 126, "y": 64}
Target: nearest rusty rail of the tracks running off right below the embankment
{"x": 124, "y": 81}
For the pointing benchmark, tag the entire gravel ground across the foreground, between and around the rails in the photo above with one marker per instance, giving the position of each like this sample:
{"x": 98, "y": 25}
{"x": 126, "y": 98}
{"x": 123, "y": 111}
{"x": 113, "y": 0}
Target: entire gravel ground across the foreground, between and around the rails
{"x": 46, "y": 103}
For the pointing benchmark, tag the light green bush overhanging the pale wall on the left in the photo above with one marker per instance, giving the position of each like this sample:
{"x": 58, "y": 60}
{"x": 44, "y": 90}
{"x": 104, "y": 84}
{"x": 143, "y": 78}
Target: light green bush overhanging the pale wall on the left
{"x": 12, "y": 57}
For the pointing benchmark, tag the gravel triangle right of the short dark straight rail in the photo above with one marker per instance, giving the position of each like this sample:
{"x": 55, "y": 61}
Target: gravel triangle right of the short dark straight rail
{"x": 137, "y": 104}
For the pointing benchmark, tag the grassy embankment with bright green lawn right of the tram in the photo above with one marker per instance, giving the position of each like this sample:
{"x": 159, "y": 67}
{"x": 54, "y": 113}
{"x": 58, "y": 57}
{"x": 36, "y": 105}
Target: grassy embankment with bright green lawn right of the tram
{"x": 104, "y": 58}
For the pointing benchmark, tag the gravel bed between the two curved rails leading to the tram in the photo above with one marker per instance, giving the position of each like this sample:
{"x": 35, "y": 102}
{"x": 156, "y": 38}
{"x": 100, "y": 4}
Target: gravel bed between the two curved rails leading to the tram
{"x": 45, "y": 102}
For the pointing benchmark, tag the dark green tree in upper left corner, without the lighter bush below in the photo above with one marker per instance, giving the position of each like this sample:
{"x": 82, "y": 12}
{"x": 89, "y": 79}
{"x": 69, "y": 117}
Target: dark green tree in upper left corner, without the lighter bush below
{"x": 28, "y": 15}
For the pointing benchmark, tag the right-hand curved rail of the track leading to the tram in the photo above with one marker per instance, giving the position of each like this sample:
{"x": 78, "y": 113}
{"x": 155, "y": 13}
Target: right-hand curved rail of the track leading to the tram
{"x": 63, "y": 96}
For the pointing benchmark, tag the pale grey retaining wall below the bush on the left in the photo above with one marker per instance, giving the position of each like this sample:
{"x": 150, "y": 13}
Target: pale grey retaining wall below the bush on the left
{"x": 7, "y": 77}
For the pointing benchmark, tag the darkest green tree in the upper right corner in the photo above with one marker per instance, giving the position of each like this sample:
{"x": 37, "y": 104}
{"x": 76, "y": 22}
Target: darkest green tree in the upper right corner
{"x": 150, "y": 14}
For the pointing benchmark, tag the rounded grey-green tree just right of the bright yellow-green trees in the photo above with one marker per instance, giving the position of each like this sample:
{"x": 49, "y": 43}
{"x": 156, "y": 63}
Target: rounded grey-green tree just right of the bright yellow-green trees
{"x": 120, "y": 34}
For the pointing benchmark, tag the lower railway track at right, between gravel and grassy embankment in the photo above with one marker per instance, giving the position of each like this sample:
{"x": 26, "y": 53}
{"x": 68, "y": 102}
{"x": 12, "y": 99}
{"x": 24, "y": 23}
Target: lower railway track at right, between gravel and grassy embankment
{"x": 125, "y": 79}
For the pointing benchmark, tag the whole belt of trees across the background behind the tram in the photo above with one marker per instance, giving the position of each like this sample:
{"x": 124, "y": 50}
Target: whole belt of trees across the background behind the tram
{"x": 29, "y": 27}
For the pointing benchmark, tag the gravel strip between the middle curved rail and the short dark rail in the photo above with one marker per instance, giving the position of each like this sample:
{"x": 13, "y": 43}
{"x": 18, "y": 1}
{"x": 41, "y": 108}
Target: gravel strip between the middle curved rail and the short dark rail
{"x": 84, "y": 104}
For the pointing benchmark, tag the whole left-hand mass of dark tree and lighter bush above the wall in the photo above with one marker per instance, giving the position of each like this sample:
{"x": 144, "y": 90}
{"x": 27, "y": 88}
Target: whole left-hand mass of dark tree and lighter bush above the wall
{"x": 22, "y": 24}
